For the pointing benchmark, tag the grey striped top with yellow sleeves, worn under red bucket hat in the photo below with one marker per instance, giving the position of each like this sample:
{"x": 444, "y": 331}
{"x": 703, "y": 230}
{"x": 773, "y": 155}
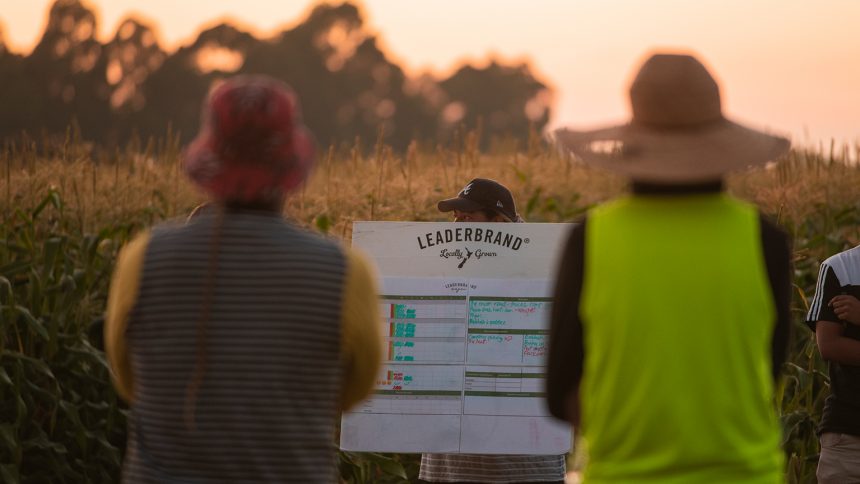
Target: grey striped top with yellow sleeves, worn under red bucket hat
{"x": 284, "y": 324}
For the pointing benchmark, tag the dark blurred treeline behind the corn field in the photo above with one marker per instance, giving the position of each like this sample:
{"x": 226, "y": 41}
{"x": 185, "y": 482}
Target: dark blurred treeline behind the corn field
{"x": 347, "y": 84}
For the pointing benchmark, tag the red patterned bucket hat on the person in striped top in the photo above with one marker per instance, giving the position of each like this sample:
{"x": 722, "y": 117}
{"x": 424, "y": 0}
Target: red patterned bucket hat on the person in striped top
{"x": 252, "y": 145}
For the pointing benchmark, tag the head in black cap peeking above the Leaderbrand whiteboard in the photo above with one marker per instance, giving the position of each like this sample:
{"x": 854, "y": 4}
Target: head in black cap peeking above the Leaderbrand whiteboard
{"x": 482, "y": 200}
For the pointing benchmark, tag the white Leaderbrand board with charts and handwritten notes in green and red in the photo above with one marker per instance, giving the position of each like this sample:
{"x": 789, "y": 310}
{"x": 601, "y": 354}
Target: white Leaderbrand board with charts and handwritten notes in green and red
{"x": 465, "y": 310}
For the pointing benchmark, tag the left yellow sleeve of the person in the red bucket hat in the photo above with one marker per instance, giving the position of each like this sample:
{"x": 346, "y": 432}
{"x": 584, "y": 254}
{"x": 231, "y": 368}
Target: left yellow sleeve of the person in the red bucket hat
{"x": 122, "y": 297}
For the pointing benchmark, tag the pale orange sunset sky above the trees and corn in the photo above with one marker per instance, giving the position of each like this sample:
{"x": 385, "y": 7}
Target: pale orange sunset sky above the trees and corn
{"x": 792, "y": 66}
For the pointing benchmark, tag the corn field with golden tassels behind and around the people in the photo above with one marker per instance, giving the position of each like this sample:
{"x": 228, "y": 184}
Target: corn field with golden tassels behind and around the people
{"x": 68, "y": 207}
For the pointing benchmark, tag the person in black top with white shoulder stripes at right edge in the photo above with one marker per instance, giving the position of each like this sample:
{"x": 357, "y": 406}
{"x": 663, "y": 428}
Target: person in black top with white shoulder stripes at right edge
{"x": 834, "y": 315}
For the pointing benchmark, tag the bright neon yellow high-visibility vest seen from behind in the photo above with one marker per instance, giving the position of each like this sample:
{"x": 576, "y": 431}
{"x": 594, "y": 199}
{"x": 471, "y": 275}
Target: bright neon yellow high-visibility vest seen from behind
{"x": 678, "y": 317}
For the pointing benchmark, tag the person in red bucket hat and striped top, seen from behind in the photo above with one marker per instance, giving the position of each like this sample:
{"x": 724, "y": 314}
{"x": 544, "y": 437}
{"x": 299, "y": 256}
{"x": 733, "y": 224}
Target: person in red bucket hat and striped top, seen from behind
{"x": 238, "y": 337}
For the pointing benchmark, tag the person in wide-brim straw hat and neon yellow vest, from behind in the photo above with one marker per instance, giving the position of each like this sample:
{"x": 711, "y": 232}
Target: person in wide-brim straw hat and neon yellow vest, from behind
{"x": 671, "y": 313}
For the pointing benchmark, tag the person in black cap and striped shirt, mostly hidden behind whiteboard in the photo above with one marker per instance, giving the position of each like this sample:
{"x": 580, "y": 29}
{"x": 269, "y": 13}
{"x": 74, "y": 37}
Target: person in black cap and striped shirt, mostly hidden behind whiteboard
{"x": 483, "y": 200}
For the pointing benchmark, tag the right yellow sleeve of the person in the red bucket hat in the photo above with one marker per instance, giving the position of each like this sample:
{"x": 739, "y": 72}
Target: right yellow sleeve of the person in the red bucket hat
{"x": 361, "y": 336}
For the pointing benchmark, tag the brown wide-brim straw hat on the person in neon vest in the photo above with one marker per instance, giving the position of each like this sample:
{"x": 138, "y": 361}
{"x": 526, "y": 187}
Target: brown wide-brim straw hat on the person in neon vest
{"x": 678, "y": 133}
